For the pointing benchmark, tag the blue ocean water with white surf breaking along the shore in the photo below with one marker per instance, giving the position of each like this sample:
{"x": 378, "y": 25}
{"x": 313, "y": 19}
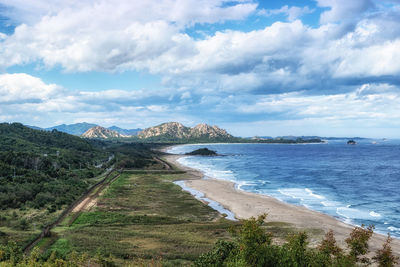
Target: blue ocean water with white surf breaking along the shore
{"x": 358, "y": 184}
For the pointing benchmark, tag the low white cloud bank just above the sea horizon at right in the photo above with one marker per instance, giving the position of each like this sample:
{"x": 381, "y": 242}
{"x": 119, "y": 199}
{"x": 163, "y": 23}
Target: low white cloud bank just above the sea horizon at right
{"x": 368, "y": 102}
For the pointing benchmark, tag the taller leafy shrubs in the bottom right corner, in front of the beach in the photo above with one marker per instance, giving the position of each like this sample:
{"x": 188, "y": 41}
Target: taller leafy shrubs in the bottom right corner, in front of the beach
{"x": 253, "y": 247}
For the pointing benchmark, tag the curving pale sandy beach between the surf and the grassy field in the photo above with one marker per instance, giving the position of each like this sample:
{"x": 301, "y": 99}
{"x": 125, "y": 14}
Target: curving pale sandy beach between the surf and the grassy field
{"x": 245, "y": 205}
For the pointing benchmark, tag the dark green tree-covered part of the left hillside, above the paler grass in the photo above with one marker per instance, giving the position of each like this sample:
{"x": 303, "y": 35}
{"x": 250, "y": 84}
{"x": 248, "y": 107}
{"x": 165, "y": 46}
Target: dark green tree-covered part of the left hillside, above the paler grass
{"x": 39, "y": 167}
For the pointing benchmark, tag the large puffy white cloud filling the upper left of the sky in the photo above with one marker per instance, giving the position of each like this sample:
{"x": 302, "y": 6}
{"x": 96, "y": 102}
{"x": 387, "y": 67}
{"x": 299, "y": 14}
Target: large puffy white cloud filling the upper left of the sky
{"x": 84, "y": 36}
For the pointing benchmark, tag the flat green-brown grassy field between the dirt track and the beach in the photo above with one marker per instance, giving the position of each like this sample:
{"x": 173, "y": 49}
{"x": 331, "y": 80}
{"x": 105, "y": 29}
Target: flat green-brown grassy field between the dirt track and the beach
{"x": 143, "y": 218}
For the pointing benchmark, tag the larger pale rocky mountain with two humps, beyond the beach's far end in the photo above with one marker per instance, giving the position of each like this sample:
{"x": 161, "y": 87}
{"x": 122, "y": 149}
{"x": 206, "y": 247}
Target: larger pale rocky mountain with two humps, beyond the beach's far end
{"x": 175, "y": 131}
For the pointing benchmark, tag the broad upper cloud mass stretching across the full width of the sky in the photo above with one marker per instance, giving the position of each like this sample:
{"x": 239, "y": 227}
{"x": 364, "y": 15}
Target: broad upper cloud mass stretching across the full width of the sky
{"x": 148, "y": 36}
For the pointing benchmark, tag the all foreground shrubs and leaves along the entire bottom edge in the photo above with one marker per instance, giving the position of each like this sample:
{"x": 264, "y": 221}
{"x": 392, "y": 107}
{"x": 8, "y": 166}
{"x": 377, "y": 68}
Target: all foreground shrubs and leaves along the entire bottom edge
{"x": 252, "y": 246}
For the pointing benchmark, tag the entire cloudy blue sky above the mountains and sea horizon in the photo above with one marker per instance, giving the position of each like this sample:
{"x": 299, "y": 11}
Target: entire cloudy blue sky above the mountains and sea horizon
{"x": 267, "y": 68}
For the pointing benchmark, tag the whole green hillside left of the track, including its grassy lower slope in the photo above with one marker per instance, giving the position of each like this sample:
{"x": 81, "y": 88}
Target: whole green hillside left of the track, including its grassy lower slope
{"x": 41, "y": 173}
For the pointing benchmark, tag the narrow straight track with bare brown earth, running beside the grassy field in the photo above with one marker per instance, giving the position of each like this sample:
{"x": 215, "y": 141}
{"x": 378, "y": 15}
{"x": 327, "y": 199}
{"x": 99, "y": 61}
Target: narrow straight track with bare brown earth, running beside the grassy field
{"x": 76, "y": 207}
